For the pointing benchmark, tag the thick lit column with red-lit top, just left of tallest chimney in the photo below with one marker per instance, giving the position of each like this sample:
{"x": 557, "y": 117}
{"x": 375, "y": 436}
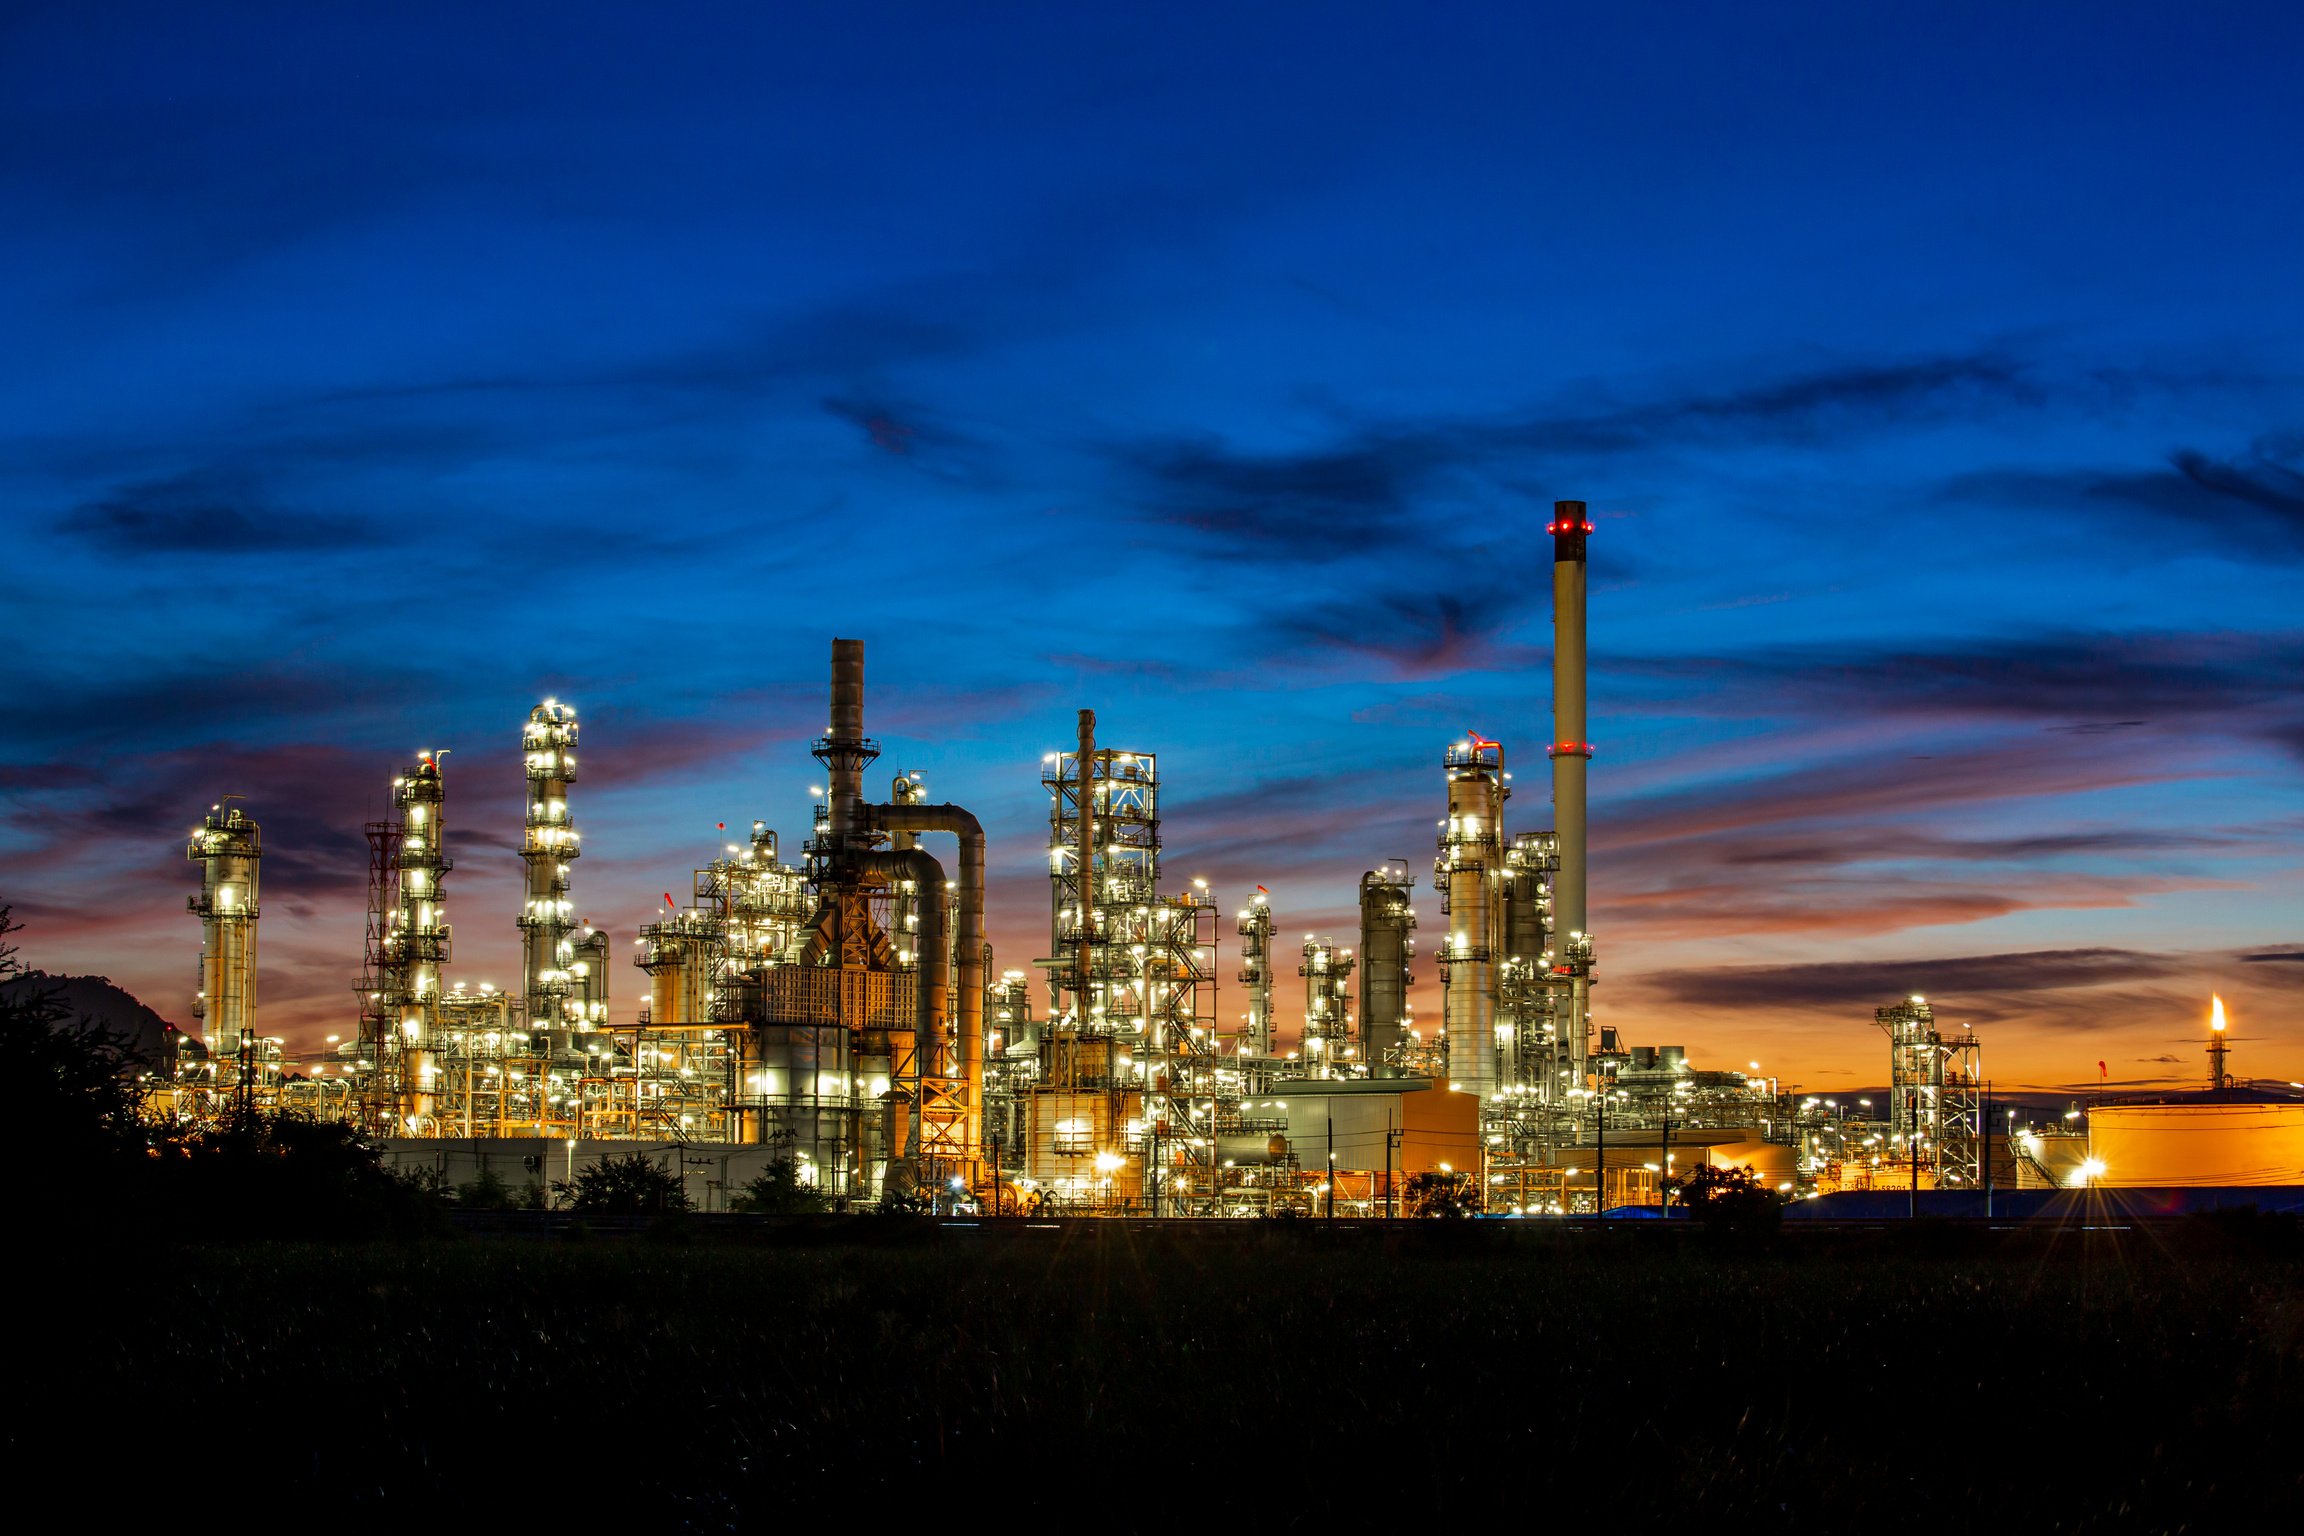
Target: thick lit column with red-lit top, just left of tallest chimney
{"x": 1471, "y": 876}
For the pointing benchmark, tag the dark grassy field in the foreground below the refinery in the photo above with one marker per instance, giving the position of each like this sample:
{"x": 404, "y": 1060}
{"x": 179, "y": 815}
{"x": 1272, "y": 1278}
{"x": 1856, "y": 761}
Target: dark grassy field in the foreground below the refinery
{"x": 1144, "y": 1383}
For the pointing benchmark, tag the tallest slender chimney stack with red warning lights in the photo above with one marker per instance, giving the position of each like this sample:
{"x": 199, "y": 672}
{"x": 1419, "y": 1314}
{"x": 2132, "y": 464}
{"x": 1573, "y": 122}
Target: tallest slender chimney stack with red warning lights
{"x": 1572, "y": 754}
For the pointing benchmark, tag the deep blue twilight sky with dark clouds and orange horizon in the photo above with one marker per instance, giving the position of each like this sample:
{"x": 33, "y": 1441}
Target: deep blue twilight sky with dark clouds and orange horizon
{"x": 1937, "y": 386}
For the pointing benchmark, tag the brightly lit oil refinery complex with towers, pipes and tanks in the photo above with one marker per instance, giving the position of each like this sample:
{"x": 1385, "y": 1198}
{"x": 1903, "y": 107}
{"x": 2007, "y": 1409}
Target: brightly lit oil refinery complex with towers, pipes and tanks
{"x": 844, "y": 1012}
